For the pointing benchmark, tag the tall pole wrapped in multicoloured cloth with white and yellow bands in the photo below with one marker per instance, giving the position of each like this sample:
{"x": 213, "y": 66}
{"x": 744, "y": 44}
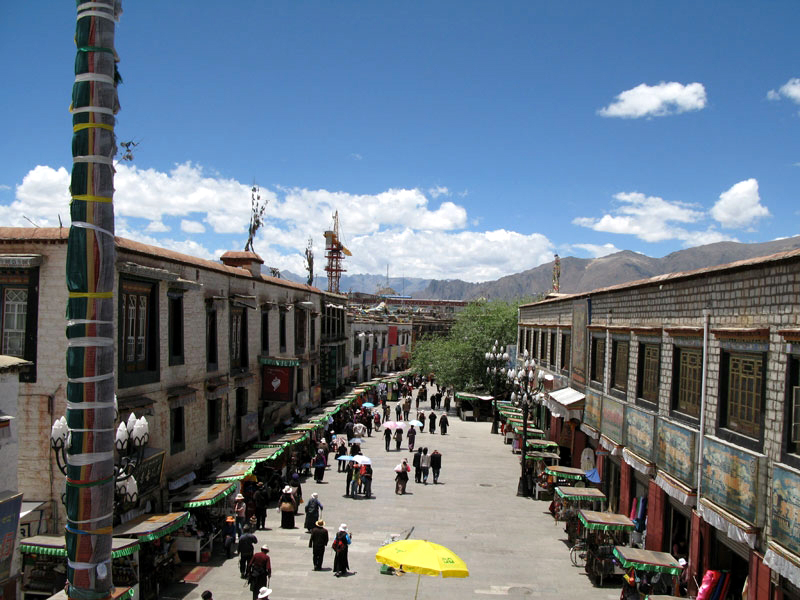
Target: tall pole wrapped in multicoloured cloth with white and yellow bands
{"x": 90, "y": 274}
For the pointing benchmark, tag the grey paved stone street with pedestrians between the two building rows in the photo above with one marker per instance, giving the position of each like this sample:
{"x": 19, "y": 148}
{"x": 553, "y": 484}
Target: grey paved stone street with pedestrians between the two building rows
{"x": 511, "y": 545}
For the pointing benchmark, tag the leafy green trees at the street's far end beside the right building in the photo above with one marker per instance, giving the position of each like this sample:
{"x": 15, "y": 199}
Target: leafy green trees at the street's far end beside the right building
{"x": 458, "y": 360}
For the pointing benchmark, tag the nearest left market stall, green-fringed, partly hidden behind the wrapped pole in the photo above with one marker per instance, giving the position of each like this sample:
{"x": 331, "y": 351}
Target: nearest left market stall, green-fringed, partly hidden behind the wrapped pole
{"x": 44, "y": 566}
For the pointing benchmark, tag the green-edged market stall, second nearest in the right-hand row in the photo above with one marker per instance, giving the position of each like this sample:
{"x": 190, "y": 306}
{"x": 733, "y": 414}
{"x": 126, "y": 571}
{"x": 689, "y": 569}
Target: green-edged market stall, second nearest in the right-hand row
{"x": 603, "y": 531}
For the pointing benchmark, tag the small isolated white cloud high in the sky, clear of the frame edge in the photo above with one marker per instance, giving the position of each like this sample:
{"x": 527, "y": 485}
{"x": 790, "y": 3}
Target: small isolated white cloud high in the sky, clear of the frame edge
{"x": 656, "y": 100}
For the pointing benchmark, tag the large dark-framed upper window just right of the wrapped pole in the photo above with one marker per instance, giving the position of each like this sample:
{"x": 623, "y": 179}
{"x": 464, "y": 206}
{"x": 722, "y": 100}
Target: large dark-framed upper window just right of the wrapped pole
{"x": 139, "y": 332}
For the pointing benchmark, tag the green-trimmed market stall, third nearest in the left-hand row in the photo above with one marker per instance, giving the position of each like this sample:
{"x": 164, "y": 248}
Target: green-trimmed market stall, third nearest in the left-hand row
{"x": 204, "y": 502}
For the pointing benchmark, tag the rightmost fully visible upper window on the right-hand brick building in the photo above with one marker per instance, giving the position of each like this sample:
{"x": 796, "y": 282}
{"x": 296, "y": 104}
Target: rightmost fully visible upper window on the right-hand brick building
{"x": 742, "y": 392}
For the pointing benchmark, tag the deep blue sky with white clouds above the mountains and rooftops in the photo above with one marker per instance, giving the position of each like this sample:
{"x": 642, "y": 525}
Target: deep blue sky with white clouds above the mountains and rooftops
{"x": 457, "y": 139}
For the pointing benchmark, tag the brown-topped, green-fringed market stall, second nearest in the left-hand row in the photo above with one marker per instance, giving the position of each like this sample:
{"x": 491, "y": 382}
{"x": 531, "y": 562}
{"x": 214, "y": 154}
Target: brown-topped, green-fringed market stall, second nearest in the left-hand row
{"x": 158, "y": 550}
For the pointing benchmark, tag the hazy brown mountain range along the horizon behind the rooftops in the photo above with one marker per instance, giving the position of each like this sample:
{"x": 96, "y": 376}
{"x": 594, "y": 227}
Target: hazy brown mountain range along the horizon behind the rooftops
{"x": 577, "y": 274}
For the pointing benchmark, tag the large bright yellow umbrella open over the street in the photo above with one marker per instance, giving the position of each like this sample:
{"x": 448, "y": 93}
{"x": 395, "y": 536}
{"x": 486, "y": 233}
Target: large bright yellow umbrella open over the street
{"x": 422, "y": 557}
